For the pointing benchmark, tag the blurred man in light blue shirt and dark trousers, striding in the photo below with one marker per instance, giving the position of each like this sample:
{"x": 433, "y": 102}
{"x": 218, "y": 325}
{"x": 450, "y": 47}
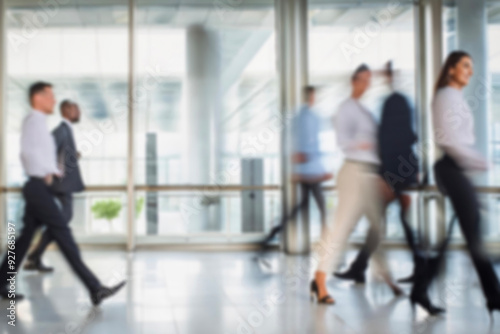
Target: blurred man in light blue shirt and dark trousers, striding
{"x": 308, "y": 169}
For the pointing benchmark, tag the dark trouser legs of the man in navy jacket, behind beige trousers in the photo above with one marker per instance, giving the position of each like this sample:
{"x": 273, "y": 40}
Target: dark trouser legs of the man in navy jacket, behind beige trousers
{"x": 360, "y": 264}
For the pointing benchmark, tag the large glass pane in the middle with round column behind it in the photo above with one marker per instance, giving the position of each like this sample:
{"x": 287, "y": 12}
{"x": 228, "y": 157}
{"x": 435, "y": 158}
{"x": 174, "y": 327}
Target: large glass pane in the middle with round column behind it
{"x": 206, "y": 90}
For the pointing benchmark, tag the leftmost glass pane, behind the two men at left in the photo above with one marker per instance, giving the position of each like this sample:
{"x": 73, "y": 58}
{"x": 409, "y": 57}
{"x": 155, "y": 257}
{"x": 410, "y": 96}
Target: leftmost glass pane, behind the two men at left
{"x": 82, "y": 51}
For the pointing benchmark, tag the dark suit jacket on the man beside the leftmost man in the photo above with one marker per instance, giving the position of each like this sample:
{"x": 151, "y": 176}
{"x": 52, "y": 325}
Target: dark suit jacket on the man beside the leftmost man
{"x": 67, "y": 156}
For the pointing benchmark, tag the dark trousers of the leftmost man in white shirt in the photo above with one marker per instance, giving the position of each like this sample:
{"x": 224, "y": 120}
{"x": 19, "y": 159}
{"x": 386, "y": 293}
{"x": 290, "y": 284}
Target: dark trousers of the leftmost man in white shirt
{"x": 41, "y": 210}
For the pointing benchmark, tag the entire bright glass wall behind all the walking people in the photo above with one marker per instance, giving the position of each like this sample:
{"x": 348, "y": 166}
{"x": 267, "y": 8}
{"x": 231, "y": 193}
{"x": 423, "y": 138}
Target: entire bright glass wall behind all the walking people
{"x": 205, "y": 96}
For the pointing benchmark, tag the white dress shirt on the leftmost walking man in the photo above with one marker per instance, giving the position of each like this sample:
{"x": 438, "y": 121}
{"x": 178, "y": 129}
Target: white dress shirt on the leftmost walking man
{"x": 38, "y": 149}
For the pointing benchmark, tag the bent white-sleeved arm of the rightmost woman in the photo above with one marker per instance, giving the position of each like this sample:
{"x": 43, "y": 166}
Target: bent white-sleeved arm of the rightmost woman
{"x": 447, "y": 116}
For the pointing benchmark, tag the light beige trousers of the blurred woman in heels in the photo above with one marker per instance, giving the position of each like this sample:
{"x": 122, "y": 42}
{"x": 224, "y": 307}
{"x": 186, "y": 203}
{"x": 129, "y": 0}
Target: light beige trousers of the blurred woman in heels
{"x": 358, "y": 194}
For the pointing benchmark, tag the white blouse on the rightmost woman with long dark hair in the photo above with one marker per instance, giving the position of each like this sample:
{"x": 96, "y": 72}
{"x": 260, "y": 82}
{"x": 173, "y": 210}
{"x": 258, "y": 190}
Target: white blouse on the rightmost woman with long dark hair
{"x": 454, "y": 128}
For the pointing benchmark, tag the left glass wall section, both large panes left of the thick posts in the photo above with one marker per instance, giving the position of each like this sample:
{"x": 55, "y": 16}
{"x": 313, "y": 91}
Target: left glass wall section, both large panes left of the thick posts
{"x": 205, "y": 92}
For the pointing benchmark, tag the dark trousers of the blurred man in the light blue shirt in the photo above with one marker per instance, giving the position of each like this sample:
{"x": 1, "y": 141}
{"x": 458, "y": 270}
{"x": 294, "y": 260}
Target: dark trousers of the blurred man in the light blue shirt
{"x": 305, "y": 190}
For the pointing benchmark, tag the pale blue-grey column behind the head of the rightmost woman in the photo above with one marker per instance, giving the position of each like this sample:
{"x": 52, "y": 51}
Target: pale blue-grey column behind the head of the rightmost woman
{"x": 472, "y": 38}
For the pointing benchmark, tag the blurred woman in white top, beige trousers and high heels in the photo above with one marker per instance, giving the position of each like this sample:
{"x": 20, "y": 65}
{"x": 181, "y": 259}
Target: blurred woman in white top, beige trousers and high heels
{"x": 357, "y": 184}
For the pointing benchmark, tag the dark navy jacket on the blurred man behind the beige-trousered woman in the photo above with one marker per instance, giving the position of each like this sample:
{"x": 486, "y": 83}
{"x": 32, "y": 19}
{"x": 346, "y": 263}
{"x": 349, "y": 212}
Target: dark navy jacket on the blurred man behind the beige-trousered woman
{"x": 396, "y": 138}
